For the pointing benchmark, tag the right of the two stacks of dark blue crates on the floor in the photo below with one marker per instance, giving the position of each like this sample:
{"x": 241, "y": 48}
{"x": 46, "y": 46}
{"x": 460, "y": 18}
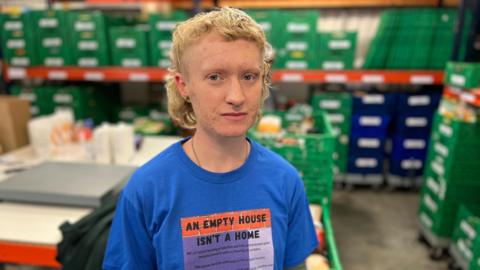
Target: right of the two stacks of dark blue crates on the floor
{"x": 410, "y": 133}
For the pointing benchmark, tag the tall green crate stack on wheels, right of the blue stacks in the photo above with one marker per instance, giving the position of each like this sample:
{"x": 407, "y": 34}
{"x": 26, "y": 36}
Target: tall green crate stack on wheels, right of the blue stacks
{"x": 450, "y": 176}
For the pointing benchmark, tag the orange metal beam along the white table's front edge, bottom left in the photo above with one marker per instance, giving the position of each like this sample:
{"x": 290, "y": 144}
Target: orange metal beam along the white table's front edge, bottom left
{"x": 38, "y": 255}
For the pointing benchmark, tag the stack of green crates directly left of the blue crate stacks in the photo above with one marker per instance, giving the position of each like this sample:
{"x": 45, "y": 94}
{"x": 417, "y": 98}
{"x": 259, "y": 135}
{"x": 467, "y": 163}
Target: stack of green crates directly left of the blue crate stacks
{"x": 338, "y": 107}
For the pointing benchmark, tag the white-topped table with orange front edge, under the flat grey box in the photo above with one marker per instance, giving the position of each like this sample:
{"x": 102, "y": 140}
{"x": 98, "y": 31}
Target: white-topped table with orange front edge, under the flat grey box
{"x": 29, "y": 233}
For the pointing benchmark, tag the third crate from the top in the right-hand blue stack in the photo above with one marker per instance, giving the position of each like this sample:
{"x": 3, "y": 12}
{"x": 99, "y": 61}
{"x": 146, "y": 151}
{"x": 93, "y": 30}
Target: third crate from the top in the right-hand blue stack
{"x": 408, "y": 147}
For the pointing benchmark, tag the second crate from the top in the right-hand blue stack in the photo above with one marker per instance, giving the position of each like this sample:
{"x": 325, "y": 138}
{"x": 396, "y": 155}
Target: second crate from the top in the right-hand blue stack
{"x": 412, "y": 125}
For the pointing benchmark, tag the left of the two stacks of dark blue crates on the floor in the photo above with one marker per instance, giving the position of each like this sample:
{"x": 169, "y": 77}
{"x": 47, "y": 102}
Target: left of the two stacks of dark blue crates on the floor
{"x": 370, "y": 120}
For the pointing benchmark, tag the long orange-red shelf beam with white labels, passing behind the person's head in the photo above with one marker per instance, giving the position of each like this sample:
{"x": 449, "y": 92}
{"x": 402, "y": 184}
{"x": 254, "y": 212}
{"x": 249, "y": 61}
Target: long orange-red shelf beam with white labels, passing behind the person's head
{"x": 152, "y": 74}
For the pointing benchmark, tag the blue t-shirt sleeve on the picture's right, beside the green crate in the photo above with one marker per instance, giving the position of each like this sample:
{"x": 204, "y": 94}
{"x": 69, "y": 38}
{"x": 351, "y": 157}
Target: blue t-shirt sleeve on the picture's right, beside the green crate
{"x": 301, "y": 237}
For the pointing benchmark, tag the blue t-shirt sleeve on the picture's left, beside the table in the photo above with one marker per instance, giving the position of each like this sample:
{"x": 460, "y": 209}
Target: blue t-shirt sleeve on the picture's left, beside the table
{"x": 129, "y": 244}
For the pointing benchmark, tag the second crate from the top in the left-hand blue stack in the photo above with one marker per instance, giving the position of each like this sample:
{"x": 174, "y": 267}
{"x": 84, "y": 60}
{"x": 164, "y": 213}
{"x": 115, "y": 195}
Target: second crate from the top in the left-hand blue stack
{"x": 370, "y": 125}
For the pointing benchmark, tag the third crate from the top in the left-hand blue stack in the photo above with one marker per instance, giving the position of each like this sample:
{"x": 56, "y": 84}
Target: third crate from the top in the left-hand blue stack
{"x": 370, "y": 145}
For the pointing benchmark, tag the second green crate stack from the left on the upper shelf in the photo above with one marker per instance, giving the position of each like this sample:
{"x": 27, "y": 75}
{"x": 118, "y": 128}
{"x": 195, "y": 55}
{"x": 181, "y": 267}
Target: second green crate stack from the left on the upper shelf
{"x": 51, "y": 37}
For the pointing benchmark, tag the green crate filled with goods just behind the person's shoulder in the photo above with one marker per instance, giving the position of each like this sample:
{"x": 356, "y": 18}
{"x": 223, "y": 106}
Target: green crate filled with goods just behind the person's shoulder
{"x": 311, "y": 154}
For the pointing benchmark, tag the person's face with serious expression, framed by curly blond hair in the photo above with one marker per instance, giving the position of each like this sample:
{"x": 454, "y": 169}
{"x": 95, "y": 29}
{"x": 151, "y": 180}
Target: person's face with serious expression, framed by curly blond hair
{"x": 224, "y": 83}
